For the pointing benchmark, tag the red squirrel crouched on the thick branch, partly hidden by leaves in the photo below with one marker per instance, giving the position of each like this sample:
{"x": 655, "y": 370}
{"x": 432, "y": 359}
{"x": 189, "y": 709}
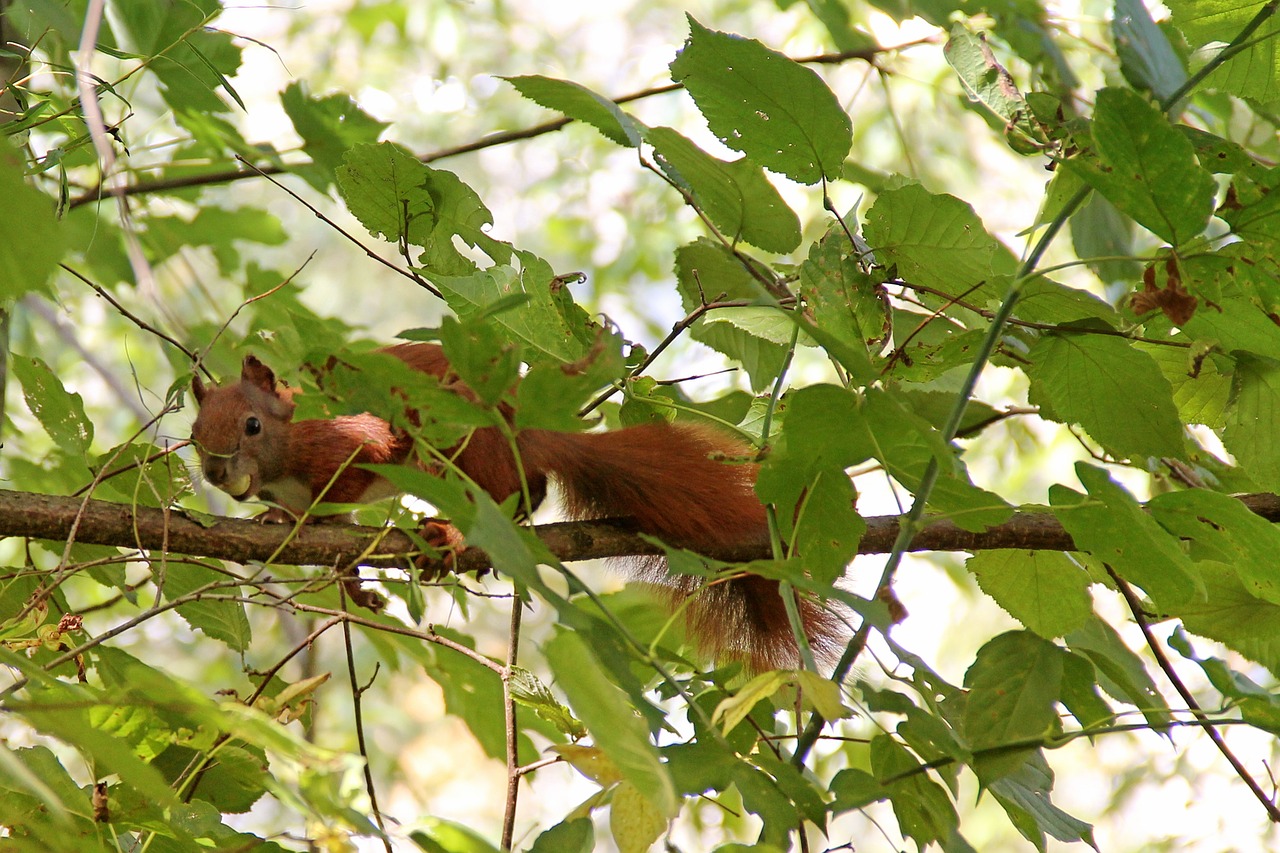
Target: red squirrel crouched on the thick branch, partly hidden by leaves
{"x": 669, "y": 478}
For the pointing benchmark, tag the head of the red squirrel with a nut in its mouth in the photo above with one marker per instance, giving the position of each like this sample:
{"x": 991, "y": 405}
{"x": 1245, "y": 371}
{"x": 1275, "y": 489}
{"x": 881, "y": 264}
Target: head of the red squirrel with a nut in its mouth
{"x": 243, "y": 431}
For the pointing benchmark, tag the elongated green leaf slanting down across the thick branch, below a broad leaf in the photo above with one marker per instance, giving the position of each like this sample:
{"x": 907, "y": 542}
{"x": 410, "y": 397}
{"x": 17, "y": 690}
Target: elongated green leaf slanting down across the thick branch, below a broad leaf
{"x": 1113, "y": 527}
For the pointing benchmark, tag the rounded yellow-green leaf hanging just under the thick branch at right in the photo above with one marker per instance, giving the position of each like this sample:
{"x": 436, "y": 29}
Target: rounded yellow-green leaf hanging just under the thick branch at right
{"x": 1046, "y": 591}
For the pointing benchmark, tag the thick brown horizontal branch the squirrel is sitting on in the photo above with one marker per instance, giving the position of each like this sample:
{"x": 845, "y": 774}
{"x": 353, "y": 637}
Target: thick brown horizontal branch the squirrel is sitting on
{"x": 48, "y": 517}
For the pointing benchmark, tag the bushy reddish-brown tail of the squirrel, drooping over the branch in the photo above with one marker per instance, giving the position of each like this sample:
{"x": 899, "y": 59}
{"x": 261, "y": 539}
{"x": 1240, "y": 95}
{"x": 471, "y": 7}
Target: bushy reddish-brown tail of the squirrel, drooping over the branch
{"x": 691, "y": 487}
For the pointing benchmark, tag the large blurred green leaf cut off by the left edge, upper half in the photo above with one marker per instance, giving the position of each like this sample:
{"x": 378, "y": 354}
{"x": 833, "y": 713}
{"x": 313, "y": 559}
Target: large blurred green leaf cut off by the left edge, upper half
{"x": 26, "y": 264}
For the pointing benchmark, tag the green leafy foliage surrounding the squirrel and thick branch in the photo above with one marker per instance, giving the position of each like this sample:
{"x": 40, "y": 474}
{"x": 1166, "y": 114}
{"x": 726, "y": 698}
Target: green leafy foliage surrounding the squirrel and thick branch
{"x": 883, "y": 326}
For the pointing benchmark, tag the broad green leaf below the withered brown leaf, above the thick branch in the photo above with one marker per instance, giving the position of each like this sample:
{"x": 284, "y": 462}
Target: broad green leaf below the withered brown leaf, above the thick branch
{"x": 1110, "y": 389}
